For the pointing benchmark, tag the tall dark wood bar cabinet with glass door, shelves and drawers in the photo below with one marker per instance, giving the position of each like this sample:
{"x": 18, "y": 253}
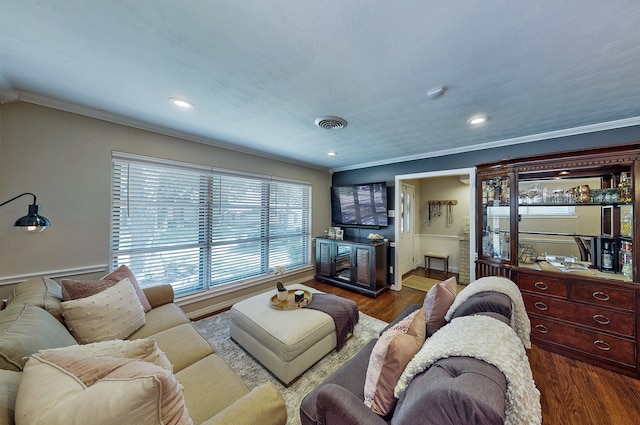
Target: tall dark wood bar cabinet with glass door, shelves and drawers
{"x": 590, "y": 314}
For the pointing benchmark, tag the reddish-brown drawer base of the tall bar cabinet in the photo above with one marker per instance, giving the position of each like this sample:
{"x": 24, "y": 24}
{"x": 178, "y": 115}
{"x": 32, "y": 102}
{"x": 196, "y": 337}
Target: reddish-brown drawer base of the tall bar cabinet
{"x": 584, "y": 318}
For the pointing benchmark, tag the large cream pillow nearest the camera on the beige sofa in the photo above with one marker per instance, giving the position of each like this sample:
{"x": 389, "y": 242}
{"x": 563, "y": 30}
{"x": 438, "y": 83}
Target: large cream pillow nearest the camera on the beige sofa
{"x": 98, "y": 390}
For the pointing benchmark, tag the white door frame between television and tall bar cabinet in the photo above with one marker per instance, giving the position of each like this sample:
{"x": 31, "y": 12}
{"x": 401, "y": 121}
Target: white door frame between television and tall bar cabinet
{"x": 473, "y": 255}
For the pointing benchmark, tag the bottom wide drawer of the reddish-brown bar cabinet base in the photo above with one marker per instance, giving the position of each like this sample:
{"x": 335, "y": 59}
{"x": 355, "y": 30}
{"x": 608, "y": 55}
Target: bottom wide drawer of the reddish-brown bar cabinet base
{"x": 607, "y": 347}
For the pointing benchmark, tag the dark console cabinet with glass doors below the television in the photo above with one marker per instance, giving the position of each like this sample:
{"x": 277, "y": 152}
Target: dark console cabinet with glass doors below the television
{"x": 358, "y": 265}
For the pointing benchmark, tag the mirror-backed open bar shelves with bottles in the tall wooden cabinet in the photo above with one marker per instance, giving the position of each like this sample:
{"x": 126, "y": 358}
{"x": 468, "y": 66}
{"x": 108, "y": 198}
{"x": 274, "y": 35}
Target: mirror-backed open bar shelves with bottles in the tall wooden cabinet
{"x": 582, "y": 224}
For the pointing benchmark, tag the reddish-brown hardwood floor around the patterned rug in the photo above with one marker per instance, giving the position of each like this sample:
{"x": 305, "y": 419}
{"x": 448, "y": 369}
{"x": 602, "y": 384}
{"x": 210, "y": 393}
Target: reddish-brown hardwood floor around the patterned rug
{"x": 572, "y": 392}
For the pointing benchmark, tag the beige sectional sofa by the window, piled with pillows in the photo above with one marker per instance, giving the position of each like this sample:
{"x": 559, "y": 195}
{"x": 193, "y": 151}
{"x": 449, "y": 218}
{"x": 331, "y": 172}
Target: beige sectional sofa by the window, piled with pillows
{"x": 212, "y": 392}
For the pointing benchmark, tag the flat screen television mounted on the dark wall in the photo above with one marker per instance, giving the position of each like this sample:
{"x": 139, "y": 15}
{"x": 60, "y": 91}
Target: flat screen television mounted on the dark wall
{"x": 359, "y": 205}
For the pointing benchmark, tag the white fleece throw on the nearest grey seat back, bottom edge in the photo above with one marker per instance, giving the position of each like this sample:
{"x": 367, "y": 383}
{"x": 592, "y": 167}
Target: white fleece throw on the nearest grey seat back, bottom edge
{"x": 491, "y": 340}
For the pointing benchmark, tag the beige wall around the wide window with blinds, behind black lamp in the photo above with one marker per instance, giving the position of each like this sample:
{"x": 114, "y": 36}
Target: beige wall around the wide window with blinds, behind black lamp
{"x": 65, "y": 159}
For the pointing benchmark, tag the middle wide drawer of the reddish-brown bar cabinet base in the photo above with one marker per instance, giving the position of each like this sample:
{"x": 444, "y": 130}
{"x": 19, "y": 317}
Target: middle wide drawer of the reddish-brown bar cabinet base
{"x": 600, "y": 319}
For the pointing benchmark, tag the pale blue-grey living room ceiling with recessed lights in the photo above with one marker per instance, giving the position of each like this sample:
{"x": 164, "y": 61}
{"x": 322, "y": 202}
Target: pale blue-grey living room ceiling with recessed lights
{"x": 260, "y": 72}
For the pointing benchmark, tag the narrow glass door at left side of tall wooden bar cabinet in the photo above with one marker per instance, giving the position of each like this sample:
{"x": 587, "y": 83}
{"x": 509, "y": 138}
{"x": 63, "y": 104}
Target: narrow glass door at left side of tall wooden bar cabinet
{"x": 495, "y": 224}
